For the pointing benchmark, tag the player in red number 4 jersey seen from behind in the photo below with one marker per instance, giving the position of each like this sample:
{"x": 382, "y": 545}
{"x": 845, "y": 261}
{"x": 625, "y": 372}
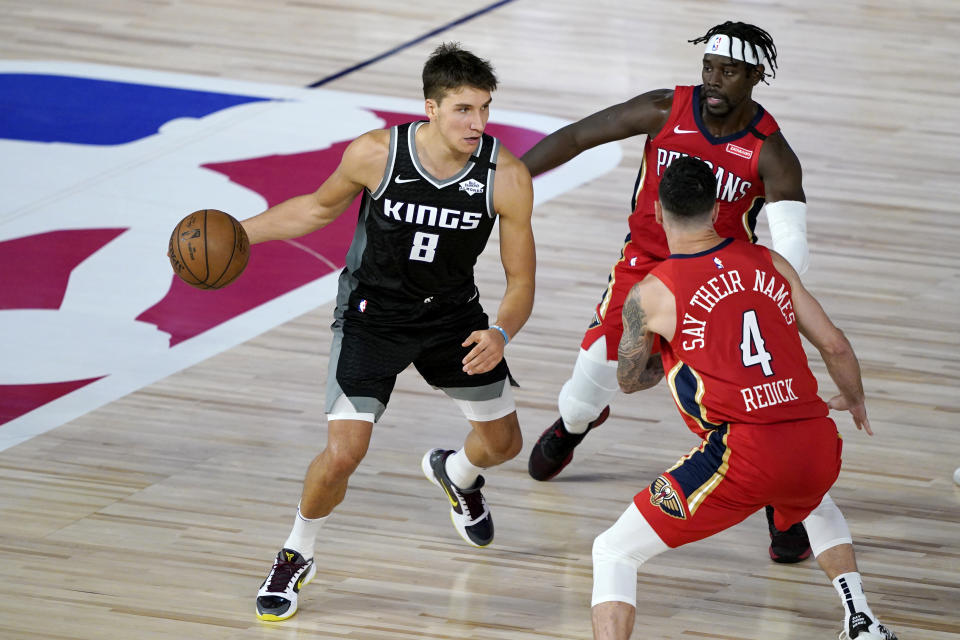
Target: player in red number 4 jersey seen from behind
{"x": 726, "y": 315}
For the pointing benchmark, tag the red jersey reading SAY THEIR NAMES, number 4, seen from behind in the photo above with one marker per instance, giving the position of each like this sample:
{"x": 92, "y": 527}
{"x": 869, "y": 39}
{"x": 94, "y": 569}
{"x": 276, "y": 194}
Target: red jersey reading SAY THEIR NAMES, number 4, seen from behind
{"x": 736, "y": 354}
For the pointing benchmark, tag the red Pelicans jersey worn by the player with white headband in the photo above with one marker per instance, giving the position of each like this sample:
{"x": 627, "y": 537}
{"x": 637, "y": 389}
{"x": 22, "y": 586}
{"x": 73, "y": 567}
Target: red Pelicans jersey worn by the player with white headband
{"x": 733, "y": 159}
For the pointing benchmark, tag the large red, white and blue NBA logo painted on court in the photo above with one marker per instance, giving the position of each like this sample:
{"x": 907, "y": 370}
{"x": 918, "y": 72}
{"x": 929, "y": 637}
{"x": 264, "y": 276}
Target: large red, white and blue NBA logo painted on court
{"x": 97, "y": 164}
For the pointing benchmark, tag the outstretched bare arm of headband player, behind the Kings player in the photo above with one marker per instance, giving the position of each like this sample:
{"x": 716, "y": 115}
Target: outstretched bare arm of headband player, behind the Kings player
{"x": 645, "y": 113}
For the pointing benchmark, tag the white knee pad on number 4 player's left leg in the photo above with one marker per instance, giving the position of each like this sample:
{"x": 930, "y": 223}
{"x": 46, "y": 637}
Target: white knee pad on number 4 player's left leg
{"x": 617, "y": 554}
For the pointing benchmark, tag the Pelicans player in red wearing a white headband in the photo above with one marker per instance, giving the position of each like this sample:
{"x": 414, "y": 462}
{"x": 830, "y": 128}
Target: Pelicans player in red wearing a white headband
{"x": 718, "y": 122}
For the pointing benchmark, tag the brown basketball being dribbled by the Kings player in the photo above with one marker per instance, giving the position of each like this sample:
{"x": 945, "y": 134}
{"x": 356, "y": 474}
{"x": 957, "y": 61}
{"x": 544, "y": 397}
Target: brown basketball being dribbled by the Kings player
{"x": 208, "y": 249}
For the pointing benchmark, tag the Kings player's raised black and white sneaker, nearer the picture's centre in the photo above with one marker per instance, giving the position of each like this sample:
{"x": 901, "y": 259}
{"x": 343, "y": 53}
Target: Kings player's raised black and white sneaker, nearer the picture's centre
{"x": 468, "y": 509}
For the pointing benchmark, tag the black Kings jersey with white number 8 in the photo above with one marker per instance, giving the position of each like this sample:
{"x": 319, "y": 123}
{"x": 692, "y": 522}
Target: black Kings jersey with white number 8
{"x": 417, "y": 236}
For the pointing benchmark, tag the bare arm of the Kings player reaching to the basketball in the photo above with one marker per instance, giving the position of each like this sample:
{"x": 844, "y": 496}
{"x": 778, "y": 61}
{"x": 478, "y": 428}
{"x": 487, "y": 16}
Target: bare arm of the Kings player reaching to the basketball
{"x": 362, "y": 165}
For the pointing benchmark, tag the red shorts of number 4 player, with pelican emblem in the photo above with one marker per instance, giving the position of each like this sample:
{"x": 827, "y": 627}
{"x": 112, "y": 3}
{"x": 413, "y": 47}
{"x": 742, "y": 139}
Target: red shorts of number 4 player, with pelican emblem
{"x": 737, "y": 470}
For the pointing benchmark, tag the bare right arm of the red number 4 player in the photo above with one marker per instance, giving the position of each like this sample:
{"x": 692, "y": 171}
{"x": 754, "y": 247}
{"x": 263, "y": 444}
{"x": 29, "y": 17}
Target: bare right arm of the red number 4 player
{"x": 834, "y": 348}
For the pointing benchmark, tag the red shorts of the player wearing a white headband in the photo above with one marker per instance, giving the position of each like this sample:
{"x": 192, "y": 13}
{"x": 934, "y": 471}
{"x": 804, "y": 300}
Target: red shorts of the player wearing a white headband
{"x": 633, "y": 266}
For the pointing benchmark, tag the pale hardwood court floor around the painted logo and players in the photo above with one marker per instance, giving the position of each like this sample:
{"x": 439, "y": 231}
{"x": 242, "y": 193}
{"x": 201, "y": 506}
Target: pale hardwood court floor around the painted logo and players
{"x": 157, "y": 515}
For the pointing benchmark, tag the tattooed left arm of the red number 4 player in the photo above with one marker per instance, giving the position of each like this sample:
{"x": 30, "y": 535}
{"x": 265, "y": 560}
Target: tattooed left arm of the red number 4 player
{"x": 649, "y": 310}
